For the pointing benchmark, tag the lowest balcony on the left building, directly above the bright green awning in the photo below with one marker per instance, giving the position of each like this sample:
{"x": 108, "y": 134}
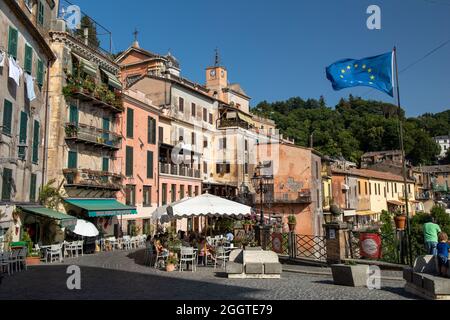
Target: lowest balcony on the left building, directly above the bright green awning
{"x": 90, "y": 179}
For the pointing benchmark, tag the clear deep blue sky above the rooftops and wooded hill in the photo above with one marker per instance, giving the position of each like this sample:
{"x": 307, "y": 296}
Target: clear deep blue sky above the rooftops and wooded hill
{"x": 279, "y": 49}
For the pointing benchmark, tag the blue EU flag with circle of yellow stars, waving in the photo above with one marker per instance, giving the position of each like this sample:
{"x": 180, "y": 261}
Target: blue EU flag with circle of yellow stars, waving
{"x": 375, "y": 72}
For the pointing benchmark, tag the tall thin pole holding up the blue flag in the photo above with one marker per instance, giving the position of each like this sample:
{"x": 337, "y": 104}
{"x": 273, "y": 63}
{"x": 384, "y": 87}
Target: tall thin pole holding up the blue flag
{"x": 405, "y": 178}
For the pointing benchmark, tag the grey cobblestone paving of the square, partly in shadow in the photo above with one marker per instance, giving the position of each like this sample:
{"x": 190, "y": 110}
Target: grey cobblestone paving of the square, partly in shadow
{"x": 120, "y": 275}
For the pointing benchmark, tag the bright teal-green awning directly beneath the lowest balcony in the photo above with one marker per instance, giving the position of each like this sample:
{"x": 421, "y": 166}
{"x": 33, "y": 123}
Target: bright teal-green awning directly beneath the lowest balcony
{"x": 102, "y": 207}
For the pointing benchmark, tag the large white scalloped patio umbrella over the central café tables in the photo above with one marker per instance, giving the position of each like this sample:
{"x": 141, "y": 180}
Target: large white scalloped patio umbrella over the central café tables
{"x": 206, "y": 205}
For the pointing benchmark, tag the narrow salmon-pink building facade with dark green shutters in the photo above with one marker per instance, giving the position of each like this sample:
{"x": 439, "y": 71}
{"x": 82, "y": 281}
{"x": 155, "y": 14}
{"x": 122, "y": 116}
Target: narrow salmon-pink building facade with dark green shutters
{"x": 139, "y": 158}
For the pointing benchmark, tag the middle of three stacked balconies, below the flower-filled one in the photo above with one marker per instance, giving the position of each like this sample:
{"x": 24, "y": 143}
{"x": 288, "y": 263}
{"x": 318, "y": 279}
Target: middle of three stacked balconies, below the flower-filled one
{"x": 93, "y": 136}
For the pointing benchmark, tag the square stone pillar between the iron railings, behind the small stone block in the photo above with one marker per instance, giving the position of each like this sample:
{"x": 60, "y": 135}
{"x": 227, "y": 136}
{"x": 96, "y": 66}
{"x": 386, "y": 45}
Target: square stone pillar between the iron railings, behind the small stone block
{"x": 335, "y": 242}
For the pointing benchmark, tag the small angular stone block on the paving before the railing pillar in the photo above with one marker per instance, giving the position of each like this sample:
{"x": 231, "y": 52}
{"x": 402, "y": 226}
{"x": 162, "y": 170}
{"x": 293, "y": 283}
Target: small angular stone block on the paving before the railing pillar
{"x": 351, "y": 276}
